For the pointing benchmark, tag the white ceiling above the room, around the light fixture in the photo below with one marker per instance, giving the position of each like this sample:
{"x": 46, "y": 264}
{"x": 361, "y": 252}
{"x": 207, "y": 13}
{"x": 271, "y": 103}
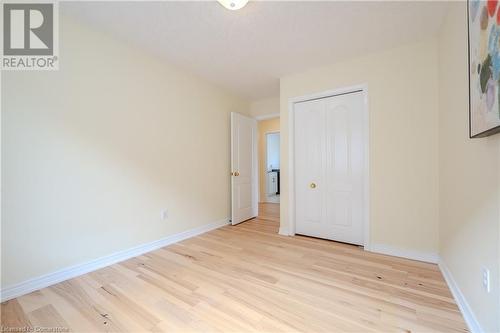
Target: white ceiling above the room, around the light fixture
{"x": 247, "y": 51}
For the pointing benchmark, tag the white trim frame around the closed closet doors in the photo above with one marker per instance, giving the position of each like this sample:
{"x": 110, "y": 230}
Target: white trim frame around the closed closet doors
{"x": 363, "y": 88}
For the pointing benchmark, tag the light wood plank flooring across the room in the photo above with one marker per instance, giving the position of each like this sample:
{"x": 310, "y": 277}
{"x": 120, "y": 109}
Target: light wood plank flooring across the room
{"x": 247, "y": 278}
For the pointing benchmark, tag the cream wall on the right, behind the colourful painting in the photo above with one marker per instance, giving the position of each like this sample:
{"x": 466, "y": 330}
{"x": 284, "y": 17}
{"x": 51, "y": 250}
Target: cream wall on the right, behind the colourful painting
{"x": 469, "y": 181}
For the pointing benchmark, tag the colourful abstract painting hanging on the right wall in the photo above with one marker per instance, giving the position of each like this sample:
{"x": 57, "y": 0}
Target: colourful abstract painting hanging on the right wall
{"x": 484, "y": 67}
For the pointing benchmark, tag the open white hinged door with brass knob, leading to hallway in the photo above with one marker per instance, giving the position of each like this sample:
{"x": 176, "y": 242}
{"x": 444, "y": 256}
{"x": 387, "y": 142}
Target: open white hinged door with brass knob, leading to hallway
{"x": 243, "y": 168}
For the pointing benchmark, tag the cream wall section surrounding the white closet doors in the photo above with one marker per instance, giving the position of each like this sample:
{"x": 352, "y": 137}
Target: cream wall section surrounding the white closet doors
{"x": 402, "y": 88}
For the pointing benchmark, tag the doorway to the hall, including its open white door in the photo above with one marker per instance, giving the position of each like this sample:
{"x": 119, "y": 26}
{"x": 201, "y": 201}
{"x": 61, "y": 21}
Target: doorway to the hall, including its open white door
{"x": 255, "y": 169}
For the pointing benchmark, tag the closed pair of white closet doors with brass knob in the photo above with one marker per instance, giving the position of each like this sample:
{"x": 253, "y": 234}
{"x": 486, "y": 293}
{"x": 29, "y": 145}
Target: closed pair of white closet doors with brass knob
{"x": 330, "y": 167}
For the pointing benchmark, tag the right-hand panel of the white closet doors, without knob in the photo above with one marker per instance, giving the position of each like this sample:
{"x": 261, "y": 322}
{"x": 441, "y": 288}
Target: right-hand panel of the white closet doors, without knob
{"x": 344, "y": 167}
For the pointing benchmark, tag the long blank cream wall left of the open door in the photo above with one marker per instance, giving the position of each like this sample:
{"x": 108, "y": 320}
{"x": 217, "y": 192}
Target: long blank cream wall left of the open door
{"x": 93, "y": 152}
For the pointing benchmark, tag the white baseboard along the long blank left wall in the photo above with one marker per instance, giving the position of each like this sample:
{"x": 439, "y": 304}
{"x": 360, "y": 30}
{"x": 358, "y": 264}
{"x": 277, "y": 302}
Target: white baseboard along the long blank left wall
{"x": 43, "y": 281}
